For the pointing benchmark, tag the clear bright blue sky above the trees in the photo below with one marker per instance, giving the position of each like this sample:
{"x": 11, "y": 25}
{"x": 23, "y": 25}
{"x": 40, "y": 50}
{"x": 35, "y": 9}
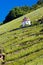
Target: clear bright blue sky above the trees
{"x": 7, "y": 5}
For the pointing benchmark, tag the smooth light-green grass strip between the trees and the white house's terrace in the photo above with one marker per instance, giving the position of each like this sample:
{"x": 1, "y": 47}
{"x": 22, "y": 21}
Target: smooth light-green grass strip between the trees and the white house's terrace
{"x": 17, "y": 22}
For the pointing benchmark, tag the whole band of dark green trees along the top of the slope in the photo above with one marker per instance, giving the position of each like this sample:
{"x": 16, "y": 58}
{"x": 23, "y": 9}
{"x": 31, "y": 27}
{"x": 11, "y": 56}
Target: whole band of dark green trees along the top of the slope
{"x": 20, "y": 11}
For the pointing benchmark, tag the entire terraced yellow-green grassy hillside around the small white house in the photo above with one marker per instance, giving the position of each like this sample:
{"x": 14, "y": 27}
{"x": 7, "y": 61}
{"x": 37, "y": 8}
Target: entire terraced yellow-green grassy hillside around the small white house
{"x": 23, "y": 46}
